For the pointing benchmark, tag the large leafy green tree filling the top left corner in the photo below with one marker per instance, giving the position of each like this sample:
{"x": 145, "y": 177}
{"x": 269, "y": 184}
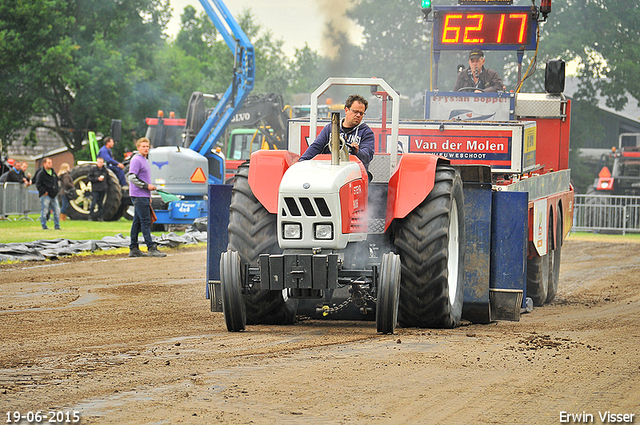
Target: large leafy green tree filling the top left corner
{"x": 80, "y": 60}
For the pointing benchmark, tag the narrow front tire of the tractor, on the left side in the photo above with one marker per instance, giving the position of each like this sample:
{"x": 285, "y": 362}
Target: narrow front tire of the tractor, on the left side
{"x": 235, "y": 315}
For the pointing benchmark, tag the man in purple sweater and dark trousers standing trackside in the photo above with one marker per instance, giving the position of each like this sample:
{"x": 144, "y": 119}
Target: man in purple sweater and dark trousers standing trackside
{"x": 140, "y": 193}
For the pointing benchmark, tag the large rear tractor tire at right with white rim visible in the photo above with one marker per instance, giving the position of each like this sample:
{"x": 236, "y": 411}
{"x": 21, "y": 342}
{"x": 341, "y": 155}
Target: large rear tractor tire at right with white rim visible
{"x": 430, "y": 241}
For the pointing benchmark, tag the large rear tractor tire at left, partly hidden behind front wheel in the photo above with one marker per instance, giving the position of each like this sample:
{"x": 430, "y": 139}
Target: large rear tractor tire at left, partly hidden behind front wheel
{"x": 253, "y": 231}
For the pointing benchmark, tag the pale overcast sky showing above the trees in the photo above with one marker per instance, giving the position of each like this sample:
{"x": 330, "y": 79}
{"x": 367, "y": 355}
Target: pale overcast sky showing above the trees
{"x": 293, "y": 21}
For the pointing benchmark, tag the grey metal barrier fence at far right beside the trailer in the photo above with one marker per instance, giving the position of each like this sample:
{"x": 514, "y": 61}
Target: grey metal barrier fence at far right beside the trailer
{"x": 608, "y": 213}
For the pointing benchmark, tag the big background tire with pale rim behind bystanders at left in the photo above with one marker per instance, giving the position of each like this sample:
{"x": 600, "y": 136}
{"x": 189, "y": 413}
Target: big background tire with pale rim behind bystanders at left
{"x": 79, "y": 207}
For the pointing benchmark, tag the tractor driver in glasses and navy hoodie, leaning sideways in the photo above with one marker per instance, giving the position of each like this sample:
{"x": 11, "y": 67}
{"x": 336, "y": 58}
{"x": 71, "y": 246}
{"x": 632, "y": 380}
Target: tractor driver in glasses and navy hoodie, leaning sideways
{"x": 356, "y": 134}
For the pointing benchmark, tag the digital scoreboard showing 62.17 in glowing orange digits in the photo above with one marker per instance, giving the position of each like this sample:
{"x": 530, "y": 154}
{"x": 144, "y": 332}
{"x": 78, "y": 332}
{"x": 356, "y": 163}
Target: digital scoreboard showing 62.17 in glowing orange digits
{"x": 486, "y": 27}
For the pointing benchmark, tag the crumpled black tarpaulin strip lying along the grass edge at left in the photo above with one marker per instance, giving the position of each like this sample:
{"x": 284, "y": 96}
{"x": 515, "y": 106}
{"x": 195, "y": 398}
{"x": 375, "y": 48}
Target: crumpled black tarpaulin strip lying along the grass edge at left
{"x": 52, "y": 248}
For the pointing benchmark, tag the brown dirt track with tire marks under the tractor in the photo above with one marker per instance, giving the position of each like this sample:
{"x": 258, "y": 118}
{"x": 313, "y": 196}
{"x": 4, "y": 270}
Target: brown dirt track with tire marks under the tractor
{"x": 87, "y": 336}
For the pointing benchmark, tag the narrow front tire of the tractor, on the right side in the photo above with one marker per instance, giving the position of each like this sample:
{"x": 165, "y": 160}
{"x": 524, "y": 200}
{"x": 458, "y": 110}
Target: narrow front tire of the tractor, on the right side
{"x": 388, "y": 293}
